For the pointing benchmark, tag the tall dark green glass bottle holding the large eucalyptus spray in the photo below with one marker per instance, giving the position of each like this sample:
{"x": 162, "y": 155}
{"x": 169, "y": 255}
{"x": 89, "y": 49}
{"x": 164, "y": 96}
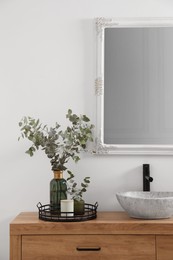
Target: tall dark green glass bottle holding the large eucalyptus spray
{"x": 58, "y": 190}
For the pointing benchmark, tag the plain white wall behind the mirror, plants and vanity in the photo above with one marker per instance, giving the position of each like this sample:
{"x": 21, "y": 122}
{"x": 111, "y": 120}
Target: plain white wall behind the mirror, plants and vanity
{"x": 47, "y": 65}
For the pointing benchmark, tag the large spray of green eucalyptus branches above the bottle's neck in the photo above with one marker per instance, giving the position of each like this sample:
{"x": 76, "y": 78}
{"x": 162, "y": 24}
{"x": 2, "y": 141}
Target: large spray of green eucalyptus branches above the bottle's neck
{"x": 59, "y": 146}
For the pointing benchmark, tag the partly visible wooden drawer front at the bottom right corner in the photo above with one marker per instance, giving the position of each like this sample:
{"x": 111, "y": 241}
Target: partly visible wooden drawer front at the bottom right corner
{"x": 164, "y": 247}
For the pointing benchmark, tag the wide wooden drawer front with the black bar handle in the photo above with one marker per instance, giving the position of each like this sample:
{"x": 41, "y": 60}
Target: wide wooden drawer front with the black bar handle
{"x": 115, "y": 247}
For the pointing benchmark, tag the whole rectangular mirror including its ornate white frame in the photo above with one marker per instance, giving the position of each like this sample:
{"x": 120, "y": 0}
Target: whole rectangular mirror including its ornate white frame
{"x": 134, "y": 86}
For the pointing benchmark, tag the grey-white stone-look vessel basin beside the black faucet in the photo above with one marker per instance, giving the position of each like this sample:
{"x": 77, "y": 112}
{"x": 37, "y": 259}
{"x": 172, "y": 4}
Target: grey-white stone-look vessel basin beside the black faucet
{"x": 147, "y": 205}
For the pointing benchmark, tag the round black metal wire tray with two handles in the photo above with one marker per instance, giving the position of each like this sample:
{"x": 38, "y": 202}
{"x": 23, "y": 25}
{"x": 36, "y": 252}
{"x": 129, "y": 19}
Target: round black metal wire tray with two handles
{"x": 46, "y": 213}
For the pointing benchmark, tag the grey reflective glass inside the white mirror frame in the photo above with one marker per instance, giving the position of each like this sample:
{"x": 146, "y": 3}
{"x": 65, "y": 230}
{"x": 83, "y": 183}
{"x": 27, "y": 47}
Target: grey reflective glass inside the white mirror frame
{"x": 138, "y": 86}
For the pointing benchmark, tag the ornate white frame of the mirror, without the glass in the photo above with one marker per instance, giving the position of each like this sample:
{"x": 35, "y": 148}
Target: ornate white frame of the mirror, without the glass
{"x": 101, "y": 147}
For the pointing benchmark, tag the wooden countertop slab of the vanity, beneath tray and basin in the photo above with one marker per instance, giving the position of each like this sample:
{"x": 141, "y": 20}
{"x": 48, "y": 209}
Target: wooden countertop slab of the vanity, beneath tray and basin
{"x": 106, "y": 223}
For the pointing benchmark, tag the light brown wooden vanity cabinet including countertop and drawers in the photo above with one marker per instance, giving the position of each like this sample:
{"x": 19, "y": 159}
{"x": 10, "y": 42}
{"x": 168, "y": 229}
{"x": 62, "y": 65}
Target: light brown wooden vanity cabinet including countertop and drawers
{"x": 113, "y": 236}
